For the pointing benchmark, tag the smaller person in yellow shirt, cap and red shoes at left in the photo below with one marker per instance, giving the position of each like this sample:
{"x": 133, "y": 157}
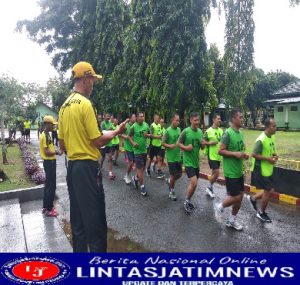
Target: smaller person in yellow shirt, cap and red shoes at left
{"x": 48, "y": 154}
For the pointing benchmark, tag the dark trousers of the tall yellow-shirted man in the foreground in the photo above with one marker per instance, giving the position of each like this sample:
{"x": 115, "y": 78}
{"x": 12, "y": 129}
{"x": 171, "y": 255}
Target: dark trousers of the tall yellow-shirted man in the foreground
{"x": 87, "y": 206}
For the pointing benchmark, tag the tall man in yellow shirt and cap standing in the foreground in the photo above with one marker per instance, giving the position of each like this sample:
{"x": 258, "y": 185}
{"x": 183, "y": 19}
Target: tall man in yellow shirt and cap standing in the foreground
{"x": 80, "y": 137}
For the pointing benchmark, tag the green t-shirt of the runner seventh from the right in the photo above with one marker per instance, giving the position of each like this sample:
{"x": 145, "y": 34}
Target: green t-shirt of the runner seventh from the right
{"x": 137, "y": 132}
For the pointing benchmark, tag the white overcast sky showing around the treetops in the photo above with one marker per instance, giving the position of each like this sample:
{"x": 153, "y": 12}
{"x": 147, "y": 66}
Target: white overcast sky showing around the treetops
{"x": 277, "y": 42}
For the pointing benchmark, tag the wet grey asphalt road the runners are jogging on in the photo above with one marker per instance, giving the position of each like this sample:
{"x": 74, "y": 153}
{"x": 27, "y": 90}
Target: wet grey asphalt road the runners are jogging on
{"x": 160, "y": 224}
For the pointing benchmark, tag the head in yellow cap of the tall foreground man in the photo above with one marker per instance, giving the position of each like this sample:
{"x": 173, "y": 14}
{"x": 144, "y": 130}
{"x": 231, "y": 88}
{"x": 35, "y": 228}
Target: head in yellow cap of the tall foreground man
{"x": 84, "y": 76}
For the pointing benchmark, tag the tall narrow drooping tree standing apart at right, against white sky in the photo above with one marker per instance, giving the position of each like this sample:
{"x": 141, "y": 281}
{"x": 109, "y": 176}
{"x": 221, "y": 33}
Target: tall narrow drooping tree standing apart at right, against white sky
{"x": 239, "y": 50}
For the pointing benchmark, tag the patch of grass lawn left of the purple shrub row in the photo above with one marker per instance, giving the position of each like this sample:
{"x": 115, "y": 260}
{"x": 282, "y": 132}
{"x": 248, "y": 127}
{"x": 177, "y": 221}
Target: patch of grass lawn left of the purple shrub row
{"x": 14, "y": 170}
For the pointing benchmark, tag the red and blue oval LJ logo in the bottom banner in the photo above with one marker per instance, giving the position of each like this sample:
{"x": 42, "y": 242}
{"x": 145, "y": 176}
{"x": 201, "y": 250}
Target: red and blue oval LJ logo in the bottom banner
{"x": 35, "y": 270}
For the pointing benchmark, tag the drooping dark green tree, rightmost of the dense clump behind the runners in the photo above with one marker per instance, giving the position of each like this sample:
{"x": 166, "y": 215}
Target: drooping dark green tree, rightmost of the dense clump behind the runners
{"x": 179, "y": 70}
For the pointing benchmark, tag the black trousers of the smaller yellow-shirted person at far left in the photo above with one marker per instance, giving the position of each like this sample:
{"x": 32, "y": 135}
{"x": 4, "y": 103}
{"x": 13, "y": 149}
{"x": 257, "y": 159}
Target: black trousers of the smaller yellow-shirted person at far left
{"x": 50, "y": 183}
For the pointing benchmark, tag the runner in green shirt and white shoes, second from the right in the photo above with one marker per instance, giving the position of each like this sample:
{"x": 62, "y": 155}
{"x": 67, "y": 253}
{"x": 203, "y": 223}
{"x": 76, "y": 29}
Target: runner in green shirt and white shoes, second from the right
{"x": 232, "y": 149}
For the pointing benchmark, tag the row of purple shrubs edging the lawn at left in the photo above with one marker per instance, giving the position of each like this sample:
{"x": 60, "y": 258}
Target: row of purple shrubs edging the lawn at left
{"x": 32, "y": 168}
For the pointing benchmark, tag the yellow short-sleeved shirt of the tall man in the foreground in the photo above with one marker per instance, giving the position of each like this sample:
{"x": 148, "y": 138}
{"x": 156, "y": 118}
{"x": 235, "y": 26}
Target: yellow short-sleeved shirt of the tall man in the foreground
{"x": 78, "y": 127}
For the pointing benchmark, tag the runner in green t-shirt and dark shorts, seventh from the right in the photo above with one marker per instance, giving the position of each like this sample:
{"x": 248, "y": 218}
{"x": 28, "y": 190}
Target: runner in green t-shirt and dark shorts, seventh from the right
{"x": 139, "y": 132}
